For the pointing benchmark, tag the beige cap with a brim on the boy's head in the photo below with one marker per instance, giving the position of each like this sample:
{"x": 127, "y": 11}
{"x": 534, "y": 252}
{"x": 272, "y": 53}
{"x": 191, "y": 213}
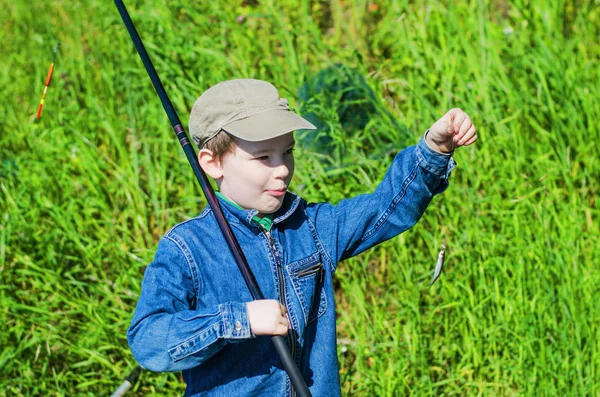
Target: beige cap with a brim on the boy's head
{"x": 246, "y": 108}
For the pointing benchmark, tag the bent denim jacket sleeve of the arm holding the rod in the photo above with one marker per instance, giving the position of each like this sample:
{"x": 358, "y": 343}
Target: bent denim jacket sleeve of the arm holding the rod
{"x": 167, "y": 332}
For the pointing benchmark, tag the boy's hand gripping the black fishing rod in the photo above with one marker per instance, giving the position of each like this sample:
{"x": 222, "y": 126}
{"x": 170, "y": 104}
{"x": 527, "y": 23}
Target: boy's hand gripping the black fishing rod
{"x": 267, "y": 317}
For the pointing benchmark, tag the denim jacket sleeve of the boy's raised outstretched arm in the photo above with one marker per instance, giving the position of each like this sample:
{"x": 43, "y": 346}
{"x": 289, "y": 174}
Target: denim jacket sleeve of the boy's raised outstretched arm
{"x": 353, "y": 225}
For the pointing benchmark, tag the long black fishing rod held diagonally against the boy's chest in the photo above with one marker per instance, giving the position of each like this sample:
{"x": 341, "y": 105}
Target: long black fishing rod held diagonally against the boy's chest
{"x": 287, "y": 360}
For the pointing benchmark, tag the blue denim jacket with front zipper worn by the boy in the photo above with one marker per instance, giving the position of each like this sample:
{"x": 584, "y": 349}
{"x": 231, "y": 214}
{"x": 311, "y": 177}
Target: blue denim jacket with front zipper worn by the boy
{"x": 191, "y": 315}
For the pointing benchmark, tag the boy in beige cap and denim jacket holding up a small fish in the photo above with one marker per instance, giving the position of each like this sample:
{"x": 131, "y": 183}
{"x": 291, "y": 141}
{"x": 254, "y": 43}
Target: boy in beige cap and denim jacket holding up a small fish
{"x": 195, "y": 313}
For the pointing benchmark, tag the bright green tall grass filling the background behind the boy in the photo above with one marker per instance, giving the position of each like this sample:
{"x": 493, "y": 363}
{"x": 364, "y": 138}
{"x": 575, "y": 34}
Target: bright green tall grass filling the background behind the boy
{"x": 86, "y": 192}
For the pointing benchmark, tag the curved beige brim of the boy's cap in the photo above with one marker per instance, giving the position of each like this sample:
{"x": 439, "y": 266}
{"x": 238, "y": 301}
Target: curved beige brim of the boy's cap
{"x": 267, "y": 125}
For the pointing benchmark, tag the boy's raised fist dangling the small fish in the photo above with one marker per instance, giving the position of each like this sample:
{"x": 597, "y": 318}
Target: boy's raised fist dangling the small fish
{"x": 453, "y": 130}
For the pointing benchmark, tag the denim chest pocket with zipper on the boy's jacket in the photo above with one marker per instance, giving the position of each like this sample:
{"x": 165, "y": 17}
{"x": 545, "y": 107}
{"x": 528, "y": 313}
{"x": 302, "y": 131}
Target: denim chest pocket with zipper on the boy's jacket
{"x": 307, "y": 276}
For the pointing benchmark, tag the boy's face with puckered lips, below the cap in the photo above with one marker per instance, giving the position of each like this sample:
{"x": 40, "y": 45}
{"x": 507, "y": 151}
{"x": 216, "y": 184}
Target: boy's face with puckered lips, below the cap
{"x": 256, "y": 175}
